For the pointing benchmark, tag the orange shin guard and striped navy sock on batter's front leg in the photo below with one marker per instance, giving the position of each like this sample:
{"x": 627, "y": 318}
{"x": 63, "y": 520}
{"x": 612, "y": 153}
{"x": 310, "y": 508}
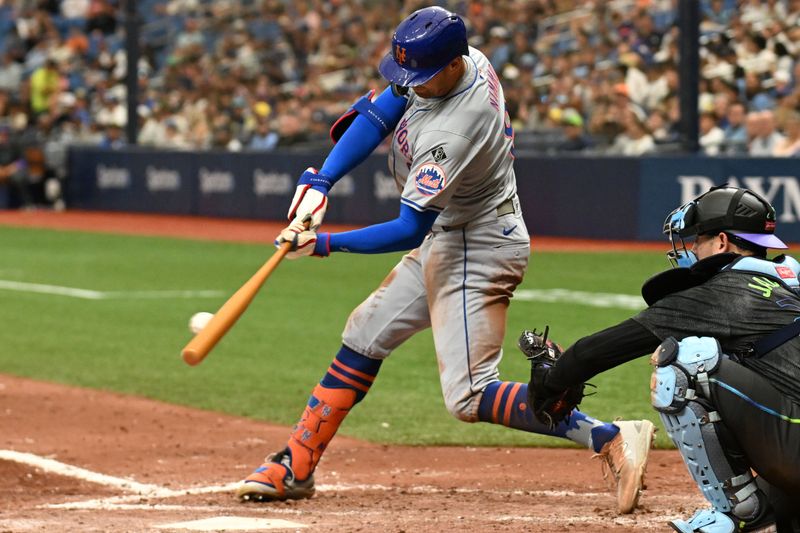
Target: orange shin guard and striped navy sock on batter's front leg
{"x": 345, "y": 384}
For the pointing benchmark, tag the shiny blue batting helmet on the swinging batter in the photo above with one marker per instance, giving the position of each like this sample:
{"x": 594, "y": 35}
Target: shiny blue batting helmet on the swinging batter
{"x": 422, "y": 45}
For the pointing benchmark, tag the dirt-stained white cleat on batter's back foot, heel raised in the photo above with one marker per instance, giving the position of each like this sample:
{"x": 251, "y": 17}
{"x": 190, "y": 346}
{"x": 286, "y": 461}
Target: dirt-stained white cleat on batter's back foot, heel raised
{"x": 625, "y": 458}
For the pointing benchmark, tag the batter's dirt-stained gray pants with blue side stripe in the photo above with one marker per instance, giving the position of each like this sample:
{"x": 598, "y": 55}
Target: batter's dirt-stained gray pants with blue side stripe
{"x": 458, "y": 282}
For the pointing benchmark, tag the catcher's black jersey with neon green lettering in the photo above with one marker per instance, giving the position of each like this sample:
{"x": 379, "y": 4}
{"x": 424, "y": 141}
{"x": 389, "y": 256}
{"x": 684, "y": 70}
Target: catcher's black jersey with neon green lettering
{"x": 736, "y": 308}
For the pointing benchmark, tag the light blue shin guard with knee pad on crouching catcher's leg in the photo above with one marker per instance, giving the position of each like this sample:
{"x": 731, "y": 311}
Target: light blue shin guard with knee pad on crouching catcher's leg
{"x": 679, "y": 392}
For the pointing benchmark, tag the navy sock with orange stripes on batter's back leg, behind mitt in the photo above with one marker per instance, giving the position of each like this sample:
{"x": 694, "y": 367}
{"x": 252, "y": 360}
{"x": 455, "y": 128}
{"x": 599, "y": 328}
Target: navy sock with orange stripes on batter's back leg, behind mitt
{"x": 505, "y": 403}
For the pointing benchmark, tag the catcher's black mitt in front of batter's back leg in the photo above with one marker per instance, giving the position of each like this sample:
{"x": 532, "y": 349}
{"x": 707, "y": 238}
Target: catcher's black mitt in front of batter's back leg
{"x": 550, "y": 407}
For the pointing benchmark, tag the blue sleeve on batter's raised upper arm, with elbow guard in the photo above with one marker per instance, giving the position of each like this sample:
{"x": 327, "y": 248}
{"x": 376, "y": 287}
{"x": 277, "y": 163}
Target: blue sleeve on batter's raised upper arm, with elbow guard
{"x": 362, "y": 137}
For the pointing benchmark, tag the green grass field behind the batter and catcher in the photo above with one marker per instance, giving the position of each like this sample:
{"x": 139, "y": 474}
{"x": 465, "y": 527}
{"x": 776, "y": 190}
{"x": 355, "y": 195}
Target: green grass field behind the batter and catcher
{"x": 268, "y": 363}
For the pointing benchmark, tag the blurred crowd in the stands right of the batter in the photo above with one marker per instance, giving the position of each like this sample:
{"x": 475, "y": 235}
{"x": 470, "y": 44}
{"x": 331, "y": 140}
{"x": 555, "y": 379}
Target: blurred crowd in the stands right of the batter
{"x": 603, "y": 78}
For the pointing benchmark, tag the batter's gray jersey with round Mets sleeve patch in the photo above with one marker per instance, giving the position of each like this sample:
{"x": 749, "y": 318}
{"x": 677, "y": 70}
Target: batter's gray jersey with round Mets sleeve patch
{"x": 454, "y": 154}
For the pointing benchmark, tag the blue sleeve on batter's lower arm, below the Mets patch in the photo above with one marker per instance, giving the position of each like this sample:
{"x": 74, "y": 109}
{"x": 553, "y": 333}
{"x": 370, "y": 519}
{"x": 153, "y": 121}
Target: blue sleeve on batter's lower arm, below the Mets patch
{"x": 406, "y": 232}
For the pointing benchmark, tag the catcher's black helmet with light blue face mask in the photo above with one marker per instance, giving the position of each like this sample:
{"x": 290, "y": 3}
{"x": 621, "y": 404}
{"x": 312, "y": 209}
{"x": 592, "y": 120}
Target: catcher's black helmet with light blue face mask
{"x": 747, "y": 219}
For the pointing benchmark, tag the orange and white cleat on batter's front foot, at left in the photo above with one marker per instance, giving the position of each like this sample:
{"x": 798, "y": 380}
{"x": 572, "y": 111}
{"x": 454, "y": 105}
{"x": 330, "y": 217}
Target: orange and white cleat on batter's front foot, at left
{"x": 274, "y": 480}
